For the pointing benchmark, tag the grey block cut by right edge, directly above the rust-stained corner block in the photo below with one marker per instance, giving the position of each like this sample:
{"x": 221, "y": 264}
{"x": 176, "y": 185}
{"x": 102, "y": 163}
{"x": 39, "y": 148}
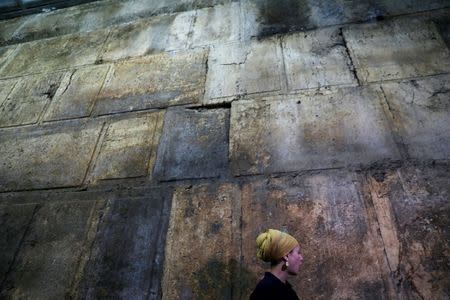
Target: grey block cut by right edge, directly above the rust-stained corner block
{"x": 421, "y": 114}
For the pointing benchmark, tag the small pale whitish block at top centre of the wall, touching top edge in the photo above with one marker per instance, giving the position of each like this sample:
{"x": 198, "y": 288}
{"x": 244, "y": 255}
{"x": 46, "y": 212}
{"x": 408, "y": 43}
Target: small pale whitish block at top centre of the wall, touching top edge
{"x": 220, "y": 23}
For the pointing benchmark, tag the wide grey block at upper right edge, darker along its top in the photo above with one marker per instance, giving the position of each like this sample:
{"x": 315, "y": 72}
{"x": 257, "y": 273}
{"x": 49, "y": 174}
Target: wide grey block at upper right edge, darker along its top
{"x": 396, "y": 49}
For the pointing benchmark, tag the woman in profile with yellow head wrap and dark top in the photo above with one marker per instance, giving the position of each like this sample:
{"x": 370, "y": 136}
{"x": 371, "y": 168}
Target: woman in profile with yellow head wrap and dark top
{"x": 283, "y": 253}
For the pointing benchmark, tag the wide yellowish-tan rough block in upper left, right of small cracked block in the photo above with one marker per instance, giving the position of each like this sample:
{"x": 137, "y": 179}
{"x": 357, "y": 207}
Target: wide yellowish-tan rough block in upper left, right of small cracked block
{"x": 154, "y": 81}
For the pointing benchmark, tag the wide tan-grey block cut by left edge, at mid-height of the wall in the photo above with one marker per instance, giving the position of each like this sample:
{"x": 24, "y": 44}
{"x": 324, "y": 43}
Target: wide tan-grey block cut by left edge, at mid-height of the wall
{"x": 56, "y": 155}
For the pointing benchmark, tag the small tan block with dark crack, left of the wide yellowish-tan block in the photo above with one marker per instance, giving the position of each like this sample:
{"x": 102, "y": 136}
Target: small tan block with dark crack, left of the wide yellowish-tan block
{"x": 76, "y": 95}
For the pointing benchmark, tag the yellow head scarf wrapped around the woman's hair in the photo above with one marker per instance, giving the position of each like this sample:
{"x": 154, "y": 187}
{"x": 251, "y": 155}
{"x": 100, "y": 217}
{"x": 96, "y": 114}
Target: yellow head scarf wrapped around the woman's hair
{"x": 274, "y": 244}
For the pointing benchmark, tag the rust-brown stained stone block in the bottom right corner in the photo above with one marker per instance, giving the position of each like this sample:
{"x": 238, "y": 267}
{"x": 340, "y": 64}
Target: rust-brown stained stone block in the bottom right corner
{"x": 418, "y": 212}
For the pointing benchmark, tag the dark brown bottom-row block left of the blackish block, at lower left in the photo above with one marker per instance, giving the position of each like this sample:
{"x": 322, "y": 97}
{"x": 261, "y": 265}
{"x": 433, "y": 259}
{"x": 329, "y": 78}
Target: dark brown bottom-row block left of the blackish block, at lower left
{"x": 47, "y": 262}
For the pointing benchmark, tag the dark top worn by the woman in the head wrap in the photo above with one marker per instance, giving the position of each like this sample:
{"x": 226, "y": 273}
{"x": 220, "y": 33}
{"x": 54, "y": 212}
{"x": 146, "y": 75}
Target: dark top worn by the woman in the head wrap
{"x": 272, "y": 288}
